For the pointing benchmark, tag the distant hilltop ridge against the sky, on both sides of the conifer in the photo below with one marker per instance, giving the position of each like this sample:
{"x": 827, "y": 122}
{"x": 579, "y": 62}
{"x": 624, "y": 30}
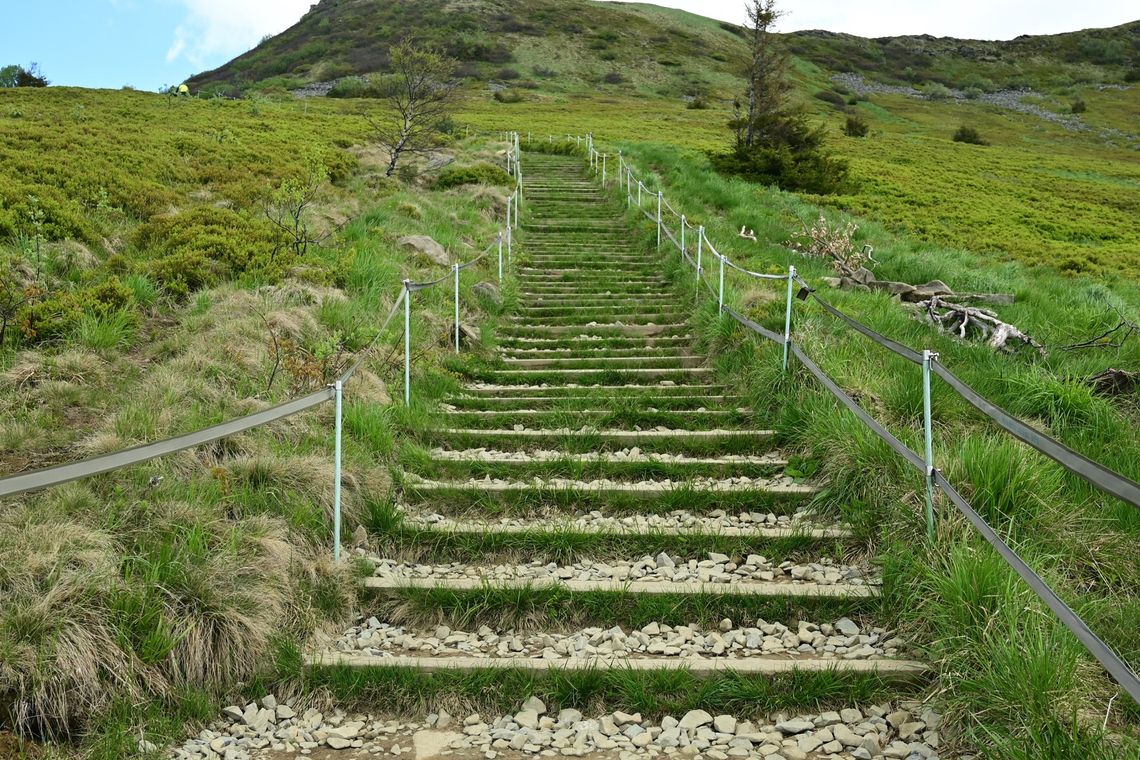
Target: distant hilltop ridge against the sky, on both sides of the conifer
{"x": 559, "y": 45}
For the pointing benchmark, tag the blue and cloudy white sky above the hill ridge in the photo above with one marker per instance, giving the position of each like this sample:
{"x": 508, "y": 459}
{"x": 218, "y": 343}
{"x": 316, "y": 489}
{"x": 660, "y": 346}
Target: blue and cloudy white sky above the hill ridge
{"x": 150, "y": 44}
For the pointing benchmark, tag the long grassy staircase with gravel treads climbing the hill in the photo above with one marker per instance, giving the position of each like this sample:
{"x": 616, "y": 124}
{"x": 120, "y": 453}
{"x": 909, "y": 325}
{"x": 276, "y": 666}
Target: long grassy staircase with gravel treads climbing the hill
{"x": 598, "y": 501}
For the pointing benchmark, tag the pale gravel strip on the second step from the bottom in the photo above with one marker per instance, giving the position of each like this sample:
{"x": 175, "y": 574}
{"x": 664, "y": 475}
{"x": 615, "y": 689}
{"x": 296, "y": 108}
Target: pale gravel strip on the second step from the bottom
{"x": 665, "y": 568}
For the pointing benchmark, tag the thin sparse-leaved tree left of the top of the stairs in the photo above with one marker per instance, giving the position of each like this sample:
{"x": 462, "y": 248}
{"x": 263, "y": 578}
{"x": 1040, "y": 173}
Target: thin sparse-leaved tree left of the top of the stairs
{"x": 422, "y": 93}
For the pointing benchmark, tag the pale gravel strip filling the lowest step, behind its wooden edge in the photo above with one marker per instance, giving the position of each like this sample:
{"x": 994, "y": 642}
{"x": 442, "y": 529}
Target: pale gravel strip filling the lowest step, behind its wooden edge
{"x": 842, "y": 640}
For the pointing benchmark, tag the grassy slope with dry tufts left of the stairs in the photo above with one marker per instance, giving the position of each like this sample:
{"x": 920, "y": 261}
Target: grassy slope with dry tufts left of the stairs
{"x": 133, "y": 603}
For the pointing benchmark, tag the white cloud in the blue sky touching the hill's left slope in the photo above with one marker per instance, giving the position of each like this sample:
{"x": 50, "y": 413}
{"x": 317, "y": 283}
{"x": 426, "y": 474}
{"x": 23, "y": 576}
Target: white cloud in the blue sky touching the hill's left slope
{"x": 222, "y": 29}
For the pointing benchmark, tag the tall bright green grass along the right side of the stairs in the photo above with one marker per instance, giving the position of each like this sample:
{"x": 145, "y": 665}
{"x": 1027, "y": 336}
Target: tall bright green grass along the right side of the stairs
{"x": 1017, "y": 684}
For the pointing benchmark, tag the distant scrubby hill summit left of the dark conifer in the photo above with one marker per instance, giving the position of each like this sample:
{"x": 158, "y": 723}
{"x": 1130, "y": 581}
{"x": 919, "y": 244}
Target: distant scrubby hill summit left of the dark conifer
{"x": 547, "y": 45}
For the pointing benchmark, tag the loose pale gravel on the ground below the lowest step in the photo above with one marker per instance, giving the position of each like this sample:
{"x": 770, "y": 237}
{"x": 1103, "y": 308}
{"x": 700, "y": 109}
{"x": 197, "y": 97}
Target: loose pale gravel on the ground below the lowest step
{"x": 268, "y": 729}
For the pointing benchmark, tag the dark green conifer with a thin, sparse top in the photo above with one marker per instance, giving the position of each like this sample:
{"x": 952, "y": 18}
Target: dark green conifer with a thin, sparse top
{"x": 772, "y": 140}
